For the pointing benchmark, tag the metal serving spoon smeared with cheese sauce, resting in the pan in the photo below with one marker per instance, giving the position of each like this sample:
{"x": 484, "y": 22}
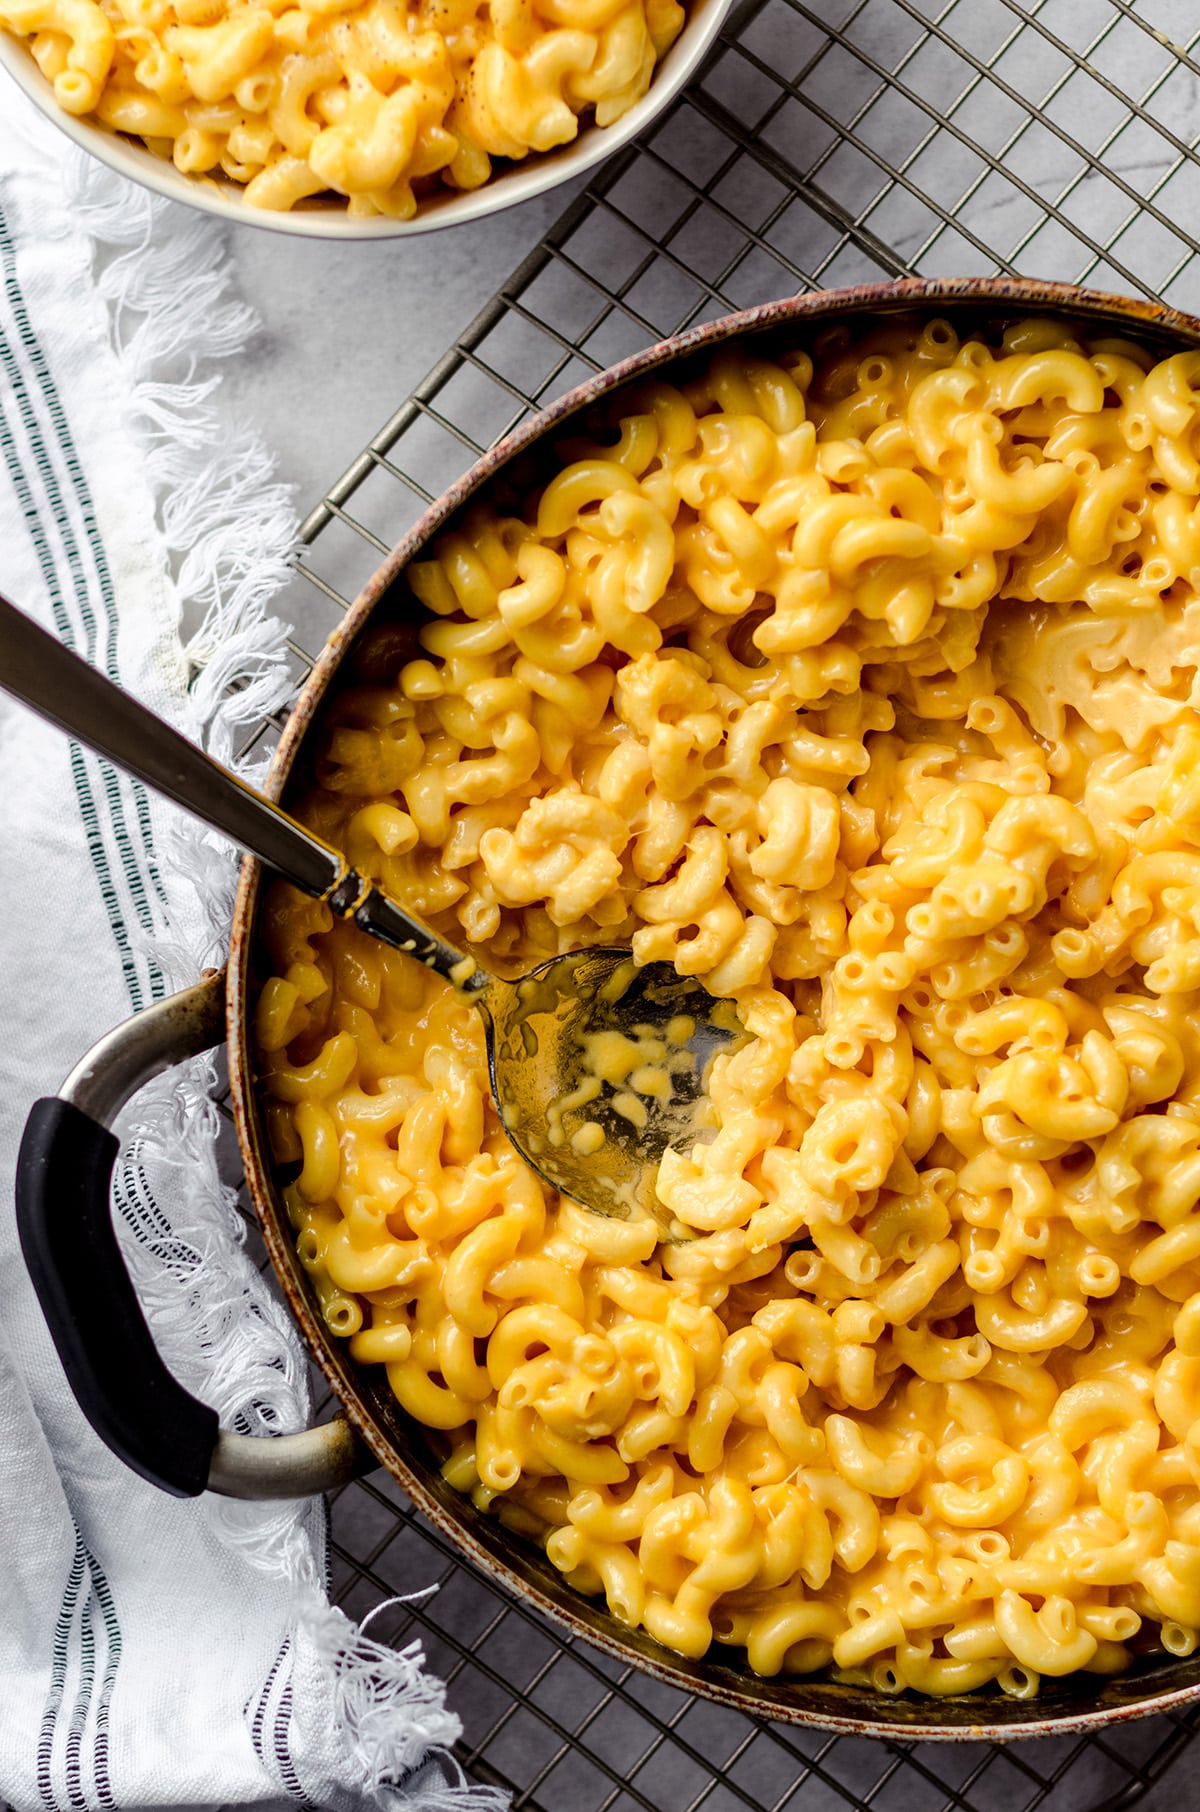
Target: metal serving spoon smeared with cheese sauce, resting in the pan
{"x": 595, "y": 1066}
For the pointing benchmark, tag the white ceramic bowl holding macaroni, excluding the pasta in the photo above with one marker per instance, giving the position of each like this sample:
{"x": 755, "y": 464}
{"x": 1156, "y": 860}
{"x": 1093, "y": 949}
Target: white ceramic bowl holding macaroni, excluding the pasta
{"x": 324, "y": 218}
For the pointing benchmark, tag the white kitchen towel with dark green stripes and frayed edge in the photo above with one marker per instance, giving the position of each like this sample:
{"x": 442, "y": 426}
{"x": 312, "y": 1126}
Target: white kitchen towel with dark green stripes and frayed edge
{"x": 153, "y": 1653}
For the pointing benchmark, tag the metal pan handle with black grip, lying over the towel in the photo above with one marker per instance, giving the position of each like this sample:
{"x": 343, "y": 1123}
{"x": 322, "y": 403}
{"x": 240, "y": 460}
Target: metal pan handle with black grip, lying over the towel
{"x": 64, "y": 1177}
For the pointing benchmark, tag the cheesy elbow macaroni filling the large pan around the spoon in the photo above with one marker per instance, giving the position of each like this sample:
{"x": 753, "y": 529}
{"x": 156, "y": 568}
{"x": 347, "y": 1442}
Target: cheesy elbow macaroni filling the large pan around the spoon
{"x": 864, "y": 686}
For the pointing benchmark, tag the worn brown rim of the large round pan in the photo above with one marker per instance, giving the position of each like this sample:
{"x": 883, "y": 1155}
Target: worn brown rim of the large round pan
{"x": 889, "y": 1719}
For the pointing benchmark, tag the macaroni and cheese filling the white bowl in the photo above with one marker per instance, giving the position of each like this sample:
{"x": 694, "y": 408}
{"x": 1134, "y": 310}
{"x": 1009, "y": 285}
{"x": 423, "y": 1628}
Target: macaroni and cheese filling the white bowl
{"x": 374, "y": 101}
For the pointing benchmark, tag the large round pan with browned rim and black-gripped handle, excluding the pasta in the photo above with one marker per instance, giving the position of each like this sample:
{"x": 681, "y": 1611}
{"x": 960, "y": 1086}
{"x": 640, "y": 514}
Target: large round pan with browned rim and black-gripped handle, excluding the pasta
{"x": 70, "y": 1152}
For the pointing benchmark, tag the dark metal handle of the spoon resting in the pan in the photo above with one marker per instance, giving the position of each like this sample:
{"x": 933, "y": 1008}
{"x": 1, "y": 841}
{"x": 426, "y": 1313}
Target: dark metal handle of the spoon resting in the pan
{"x": 46, "y": 677}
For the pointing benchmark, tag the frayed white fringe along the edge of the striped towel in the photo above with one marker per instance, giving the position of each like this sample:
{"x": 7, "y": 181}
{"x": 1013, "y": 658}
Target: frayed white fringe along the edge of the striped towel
{"x": 229, "y": 532}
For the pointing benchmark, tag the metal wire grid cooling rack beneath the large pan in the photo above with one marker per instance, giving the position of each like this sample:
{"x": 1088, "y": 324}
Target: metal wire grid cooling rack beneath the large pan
{"x": 826, "y": 144}
